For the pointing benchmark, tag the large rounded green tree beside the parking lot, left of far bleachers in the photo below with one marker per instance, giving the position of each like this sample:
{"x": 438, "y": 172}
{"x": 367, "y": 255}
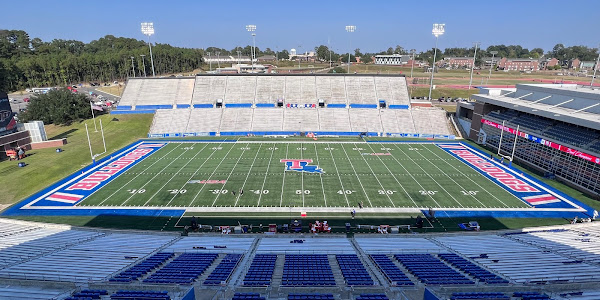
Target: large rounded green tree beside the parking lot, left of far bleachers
{"x": 60, "y": 107}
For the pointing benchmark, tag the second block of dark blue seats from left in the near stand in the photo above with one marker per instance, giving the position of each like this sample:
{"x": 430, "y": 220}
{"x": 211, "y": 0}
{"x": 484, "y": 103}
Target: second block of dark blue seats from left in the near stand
{"x": 184, "y": 269}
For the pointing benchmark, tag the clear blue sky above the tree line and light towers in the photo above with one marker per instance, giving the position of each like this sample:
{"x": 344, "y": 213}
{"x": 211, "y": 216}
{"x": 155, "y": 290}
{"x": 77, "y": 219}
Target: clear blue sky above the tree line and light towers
{"x": 305, "y": 24}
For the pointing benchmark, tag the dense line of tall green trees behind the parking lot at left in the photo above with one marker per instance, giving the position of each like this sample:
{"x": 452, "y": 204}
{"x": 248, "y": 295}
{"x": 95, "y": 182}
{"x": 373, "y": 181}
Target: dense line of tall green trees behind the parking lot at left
{"x": 30, "y": 62}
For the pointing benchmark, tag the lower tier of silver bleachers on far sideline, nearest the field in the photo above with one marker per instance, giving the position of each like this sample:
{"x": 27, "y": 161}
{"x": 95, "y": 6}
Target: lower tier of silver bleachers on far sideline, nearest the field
{"x": 240, "y": 121}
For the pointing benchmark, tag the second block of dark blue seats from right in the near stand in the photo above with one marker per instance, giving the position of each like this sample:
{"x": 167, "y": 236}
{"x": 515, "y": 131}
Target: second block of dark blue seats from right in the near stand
{"x": 431, "y": 270}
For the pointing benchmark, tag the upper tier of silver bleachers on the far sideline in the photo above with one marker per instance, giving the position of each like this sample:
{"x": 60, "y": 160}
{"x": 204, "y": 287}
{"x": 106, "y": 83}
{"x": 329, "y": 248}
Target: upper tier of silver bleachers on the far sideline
{"x": 203, "y": 91}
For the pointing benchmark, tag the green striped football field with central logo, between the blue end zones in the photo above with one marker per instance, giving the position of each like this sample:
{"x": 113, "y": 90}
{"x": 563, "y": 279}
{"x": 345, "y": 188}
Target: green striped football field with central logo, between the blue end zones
{"x": 402, "y": 175}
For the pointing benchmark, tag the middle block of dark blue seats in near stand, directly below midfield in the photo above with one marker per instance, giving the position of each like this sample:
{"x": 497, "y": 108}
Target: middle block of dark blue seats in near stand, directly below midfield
{"x": 307, "y": 270}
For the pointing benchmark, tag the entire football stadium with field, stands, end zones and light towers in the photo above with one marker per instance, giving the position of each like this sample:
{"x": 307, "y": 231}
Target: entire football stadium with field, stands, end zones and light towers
{"x": 303, "y": 185}
